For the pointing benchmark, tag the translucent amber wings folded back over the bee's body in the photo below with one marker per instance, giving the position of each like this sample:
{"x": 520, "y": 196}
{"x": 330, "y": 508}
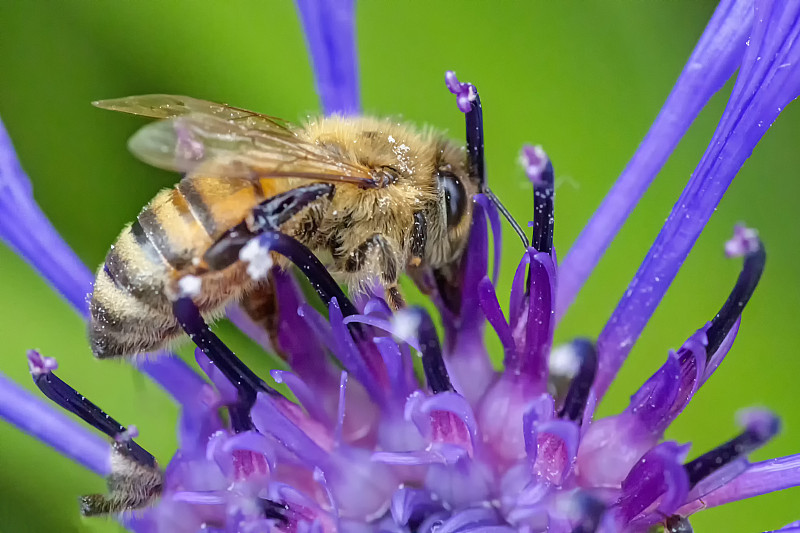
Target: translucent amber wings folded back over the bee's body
{"x": 229, "y": 141}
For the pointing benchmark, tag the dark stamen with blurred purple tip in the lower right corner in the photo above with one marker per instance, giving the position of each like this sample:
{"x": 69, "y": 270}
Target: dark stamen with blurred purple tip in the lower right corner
{"x": 761, "y": 426}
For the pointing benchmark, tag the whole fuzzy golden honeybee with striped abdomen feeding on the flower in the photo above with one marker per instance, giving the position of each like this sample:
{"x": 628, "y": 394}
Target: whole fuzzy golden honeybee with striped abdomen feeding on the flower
{"x": 374, "y": 198}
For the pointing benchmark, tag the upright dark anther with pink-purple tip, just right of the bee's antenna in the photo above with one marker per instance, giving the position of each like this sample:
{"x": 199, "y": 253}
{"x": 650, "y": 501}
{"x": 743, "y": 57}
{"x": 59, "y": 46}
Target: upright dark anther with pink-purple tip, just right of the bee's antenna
{"x": 540, "y": 172}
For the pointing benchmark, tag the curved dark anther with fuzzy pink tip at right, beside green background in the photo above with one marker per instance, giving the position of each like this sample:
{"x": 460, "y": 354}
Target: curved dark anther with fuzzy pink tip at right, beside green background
{"x": 744, "y": 243}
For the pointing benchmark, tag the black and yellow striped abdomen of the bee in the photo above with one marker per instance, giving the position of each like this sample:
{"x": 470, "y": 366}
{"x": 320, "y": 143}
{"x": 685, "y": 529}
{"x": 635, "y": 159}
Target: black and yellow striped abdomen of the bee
{"x": 131, "y": 311}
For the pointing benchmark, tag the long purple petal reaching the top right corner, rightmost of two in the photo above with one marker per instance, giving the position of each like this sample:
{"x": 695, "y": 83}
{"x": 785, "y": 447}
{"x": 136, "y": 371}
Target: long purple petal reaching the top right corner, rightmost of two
{"x": 762, "y": 90}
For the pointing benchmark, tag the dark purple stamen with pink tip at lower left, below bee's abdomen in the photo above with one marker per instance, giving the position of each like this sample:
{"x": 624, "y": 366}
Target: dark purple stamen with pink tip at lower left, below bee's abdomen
{"x": 68, "y": 398}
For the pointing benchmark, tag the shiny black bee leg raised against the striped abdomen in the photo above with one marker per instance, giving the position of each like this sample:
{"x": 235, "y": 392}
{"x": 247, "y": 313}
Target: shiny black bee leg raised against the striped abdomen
{"x": 269, "y": 215}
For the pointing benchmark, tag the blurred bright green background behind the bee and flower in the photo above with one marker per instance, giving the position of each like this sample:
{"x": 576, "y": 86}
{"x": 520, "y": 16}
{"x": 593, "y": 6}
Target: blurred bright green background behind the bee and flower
{"x": 584, "y": 79}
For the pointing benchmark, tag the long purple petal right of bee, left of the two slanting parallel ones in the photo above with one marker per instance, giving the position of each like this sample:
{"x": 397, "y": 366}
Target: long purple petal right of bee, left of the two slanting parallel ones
{"x": 715, "y": 58}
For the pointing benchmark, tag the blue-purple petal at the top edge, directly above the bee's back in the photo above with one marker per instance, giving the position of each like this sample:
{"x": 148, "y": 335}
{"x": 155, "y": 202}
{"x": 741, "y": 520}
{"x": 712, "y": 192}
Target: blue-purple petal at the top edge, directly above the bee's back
{"x": 330, "y": 34}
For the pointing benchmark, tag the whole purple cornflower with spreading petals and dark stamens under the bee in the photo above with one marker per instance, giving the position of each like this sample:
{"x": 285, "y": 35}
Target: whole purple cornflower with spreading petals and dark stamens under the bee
{"x": 369, "y": 448}
